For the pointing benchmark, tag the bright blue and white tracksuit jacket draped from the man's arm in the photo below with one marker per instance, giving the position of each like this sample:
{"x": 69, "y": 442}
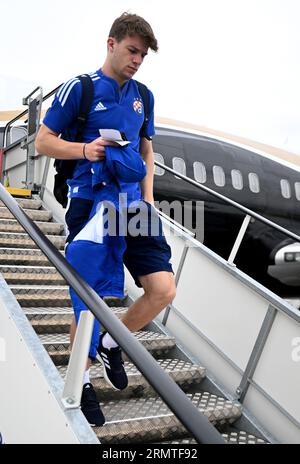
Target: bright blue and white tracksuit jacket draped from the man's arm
{"x": 97, "y": 251}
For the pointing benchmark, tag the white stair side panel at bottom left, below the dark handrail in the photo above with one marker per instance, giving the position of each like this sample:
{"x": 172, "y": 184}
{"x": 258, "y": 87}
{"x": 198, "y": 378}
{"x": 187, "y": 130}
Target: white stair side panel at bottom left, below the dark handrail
{"x": 31, "y": 410}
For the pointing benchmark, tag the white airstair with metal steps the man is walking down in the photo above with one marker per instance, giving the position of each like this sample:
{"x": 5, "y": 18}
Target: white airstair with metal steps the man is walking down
{"x": 225, "y": 341}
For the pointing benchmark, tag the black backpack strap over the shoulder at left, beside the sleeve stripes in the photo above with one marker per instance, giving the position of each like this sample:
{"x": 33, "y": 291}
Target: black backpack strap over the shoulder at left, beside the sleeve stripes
{"x": 87, "y": 97}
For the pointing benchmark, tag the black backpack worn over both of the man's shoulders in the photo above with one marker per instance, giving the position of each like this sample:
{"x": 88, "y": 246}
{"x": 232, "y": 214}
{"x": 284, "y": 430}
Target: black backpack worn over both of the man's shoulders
{"x": 65, "y": 168}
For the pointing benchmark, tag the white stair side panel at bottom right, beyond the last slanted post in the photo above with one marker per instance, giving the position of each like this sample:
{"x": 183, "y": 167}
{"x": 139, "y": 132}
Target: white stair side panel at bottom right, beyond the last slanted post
{"x": 278, "y": 374}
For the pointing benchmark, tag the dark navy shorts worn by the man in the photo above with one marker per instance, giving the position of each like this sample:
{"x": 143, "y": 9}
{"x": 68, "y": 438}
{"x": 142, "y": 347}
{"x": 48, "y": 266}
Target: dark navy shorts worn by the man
{"x": 146, "y": 252}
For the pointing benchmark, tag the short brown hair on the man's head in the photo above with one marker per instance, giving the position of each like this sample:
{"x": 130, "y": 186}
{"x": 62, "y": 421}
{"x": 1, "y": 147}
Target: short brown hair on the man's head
{"x": 131, "y": 24}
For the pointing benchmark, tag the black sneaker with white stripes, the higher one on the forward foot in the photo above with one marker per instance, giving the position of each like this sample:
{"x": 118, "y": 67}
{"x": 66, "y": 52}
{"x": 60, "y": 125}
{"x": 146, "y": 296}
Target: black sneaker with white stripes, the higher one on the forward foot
{"x": 114, "y": 372}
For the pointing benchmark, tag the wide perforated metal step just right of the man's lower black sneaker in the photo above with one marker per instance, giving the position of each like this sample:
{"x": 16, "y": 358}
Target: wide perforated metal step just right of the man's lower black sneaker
{"x": 145, "y": 420}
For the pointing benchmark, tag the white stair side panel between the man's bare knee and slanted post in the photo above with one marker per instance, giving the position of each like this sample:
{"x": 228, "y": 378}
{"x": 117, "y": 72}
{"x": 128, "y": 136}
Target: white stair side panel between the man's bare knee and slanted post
{"x": 217, "y": 303}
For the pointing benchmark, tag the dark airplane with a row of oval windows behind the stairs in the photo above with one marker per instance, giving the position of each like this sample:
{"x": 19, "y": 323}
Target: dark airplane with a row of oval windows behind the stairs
{"x": 259, "y": 177}
